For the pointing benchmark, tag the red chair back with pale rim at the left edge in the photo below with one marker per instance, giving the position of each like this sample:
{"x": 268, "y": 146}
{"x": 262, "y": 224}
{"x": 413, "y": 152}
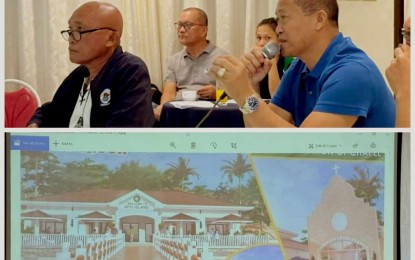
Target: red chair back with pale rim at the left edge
{"x": 20, "y": 104}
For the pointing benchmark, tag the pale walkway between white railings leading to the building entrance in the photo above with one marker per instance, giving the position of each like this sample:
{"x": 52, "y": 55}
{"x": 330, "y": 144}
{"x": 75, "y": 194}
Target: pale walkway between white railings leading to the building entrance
{"x": 138, "y": 251}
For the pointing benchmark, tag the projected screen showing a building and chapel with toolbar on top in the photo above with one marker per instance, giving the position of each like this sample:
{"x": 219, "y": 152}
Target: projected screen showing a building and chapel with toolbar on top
{"x": 200, "y": 195}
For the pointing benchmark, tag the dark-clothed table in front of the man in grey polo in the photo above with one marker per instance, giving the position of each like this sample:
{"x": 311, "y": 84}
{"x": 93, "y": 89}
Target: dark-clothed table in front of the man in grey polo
{"x": 188, "y": 114}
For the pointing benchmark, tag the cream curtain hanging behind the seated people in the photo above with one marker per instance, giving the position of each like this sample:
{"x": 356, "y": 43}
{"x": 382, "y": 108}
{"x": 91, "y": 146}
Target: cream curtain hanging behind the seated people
{"x": 36, "y": 53}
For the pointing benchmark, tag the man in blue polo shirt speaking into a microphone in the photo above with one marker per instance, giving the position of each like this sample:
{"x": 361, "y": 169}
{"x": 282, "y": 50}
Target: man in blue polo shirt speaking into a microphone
{"x": 331, "y": 84}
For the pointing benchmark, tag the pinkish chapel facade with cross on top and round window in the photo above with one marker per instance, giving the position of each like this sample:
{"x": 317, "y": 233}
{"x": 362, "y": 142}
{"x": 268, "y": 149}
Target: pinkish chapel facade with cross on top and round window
{"x": 343, "y": 226}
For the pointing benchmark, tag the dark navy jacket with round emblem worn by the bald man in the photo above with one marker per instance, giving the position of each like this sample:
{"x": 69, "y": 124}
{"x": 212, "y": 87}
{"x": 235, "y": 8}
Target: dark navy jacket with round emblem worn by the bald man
{"x": 121, "y": 96}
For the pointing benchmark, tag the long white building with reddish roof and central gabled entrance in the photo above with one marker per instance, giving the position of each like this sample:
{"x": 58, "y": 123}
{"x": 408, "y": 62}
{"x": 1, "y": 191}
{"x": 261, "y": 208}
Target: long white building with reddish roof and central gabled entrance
{"x": 136, "y": 212}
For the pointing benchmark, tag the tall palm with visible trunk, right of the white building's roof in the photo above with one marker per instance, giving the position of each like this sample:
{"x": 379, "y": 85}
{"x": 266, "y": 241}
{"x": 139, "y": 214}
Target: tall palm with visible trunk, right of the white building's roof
{"x": 236, "y": 168}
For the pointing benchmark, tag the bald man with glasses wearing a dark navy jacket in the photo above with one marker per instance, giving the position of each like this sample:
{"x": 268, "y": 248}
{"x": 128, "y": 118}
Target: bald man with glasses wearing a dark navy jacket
{"x": 110, "y": 88}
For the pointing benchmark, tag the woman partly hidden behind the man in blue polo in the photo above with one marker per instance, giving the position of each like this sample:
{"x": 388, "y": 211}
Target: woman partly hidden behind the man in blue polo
{"x": 265, "y": 32}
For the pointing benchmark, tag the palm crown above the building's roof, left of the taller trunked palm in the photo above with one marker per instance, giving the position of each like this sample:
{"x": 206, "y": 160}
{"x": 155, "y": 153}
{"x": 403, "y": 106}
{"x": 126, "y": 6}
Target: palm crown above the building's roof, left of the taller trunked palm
{"x": 179, "y": 173}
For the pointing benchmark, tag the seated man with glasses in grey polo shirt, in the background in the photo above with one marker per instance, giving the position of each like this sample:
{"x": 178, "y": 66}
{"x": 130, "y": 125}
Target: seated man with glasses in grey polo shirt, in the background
{"x": 186, "y": 68}
